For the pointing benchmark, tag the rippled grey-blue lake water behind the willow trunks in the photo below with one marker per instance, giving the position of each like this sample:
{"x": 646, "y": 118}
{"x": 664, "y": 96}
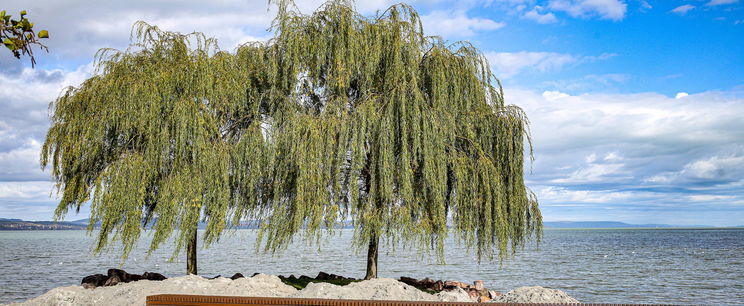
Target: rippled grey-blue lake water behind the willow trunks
{"x": 671, "y": 266}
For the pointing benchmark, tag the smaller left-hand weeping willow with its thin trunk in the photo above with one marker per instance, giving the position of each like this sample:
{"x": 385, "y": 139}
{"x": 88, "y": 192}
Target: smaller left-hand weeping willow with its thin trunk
{"x": 163, "y": 136}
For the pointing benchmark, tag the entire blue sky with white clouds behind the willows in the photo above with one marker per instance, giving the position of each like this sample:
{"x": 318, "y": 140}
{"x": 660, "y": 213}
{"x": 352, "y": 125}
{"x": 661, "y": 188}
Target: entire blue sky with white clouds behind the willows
{"x": 637, "y": 107}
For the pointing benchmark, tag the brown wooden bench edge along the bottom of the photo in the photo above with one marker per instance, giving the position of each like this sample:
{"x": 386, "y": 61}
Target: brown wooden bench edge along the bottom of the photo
{"x": 204, "y": 300}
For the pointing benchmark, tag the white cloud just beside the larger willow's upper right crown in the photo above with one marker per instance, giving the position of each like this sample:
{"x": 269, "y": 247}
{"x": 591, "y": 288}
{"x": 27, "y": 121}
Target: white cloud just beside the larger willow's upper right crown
{"x": 457, "y": 24}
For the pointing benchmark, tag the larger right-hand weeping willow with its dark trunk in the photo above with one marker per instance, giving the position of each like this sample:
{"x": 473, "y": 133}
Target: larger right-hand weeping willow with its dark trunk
{"x": 403, "y": 134}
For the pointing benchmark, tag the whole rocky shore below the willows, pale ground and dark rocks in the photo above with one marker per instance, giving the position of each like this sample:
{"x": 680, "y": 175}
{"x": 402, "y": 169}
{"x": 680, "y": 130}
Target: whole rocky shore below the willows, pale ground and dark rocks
{"x": 118, "y": 287}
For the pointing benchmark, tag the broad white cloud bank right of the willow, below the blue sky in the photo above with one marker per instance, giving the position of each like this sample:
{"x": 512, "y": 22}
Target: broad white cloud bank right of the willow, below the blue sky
{"x": 700, "y": 120}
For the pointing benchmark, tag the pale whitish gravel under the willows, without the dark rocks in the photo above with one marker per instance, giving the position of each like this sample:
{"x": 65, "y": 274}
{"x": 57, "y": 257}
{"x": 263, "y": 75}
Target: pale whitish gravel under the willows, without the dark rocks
{"x": 262, "y": 285}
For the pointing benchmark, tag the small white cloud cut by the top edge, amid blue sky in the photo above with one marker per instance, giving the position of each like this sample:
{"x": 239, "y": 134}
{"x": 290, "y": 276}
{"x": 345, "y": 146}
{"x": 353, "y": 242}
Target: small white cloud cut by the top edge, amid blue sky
{"x": 605, "y": 9}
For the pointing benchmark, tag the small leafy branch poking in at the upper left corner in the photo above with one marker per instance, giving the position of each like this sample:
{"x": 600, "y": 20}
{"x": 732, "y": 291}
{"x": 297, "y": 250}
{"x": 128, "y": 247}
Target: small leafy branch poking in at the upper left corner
{"x": 18, "y": 35}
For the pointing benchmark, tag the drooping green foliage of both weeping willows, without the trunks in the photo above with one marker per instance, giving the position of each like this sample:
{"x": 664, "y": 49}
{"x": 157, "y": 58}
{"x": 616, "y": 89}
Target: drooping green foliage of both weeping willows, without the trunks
{"x": 338, "y": 117}
